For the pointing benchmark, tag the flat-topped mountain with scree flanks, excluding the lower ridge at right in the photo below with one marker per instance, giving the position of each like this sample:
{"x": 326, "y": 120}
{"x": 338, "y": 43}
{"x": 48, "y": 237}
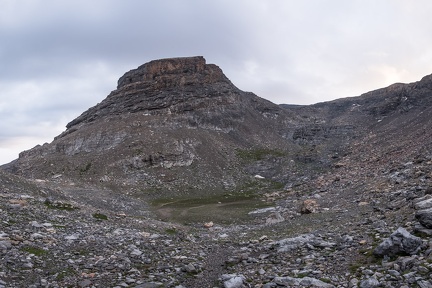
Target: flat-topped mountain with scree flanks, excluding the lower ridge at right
{"x": 172, "y": 124}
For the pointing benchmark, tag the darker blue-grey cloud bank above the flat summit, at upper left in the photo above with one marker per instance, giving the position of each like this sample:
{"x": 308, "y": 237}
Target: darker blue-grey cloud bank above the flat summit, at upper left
{"x": 131, "y": 31}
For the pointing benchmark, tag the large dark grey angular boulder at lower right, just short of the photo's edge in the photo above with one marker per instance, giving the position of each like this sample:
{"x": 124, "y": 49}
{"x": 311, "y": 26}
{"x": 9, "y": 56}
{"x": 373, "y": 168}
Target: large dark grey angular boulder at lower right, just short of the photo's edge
{"x": 400, "y": 242}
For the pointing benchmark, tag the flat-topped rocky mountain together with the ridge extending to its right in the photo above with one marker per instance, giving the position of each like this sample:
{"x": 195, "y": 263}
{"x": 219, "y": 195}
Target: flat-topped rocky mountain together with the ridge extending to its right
{"x": 179, "y": 126}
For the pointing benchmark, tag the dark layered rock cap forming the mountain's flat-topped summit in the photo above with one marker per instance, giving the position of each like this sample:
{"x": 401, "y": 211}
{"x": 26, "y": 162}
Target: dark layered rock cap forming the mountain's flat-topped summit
{"x": 172, "y": 85}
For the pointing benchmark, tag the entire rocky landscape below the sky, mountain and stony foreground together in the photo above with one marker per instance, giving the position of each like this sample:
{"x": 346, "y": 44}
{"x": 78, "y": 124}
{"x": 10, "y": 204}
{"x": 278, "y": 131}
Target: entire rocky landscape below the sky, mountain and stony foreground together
{"x": 180, "y": 179}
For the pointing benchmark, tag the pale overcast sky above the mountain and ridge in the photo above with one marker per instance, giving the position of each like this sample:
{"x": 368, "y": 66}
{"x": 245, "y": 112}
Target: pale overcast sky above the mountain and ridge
{"x": 59, "y": 58}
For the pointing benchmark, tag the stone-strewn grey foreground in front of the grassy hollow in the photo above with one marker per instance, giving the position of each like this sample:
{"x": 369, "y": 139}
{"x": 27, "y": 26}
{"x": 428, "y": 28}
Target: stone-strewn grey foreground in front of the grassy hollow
{"x": 346, "y": 234}
